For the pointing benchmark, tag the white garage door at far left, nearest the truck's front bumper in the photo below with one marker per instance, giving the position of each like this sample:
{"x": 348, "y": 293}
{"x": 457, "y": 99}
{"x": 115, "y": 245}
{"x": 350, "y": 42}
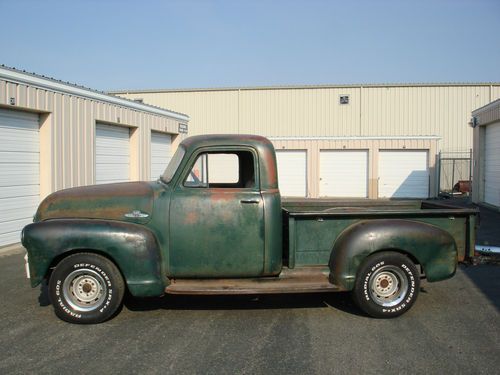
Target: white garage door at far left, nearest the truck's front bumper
{"x": 19, "y": 173}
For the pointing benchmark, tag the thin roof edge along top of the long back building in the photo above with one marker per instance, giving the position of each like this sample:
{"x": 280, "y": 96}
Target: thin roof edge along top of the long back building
{"x": 298, "y": 87}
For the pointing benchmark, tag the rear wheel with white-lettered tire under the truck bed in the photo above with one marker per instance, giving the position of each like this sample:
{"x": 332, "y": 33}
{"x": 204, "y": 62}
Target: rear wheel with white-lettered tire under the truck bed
{"x": 386, "y": 285}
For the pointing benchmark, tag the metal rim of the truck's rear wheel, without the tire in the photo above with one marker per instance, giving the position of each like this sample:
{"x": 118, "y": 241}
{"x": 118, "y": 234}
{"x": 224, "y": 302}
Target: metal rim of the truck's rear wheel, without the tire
{"x": 388, "y": 286}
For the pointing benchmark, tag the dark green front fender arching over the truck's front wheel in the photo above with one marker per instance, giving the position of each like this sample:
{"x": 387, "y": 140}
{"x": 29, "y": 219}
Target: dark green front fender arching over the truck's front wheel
{"x": 132, "y": 247}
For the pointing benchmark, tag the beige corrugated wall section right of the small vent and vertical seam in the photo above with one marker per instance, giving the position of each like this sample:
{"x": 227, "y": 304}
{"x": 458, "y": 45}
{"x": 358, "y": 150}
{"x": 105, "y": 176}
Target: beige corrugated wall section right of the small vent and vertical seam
{"x": 423, "y": 110}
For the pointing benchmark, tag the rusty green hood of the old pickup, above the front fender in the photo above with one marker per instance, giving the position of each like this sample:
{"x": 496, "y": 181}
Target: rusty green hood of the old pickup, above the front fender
{"x": 130, "y": 201}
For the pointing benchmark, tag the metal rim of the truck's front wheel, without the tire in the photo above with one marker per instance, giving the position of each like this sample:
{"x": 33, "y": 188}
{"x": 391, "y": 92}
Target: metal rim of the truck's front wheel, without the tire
{"x": 84, "y": 289}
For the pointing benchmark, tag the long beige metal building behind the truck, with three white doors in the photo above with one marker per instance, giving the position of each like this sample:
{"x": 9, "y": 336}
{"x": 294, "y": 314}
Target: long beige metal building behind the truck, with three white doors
{"x": 342, "y": 141}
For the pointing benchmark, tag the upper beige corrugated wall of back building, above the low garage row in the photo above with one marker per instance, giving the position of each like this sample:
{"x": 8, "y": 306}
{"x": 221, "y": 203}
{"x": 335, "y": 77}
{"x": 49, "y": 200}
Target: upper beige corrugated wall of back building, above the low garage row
{"x": 418, "y": 110}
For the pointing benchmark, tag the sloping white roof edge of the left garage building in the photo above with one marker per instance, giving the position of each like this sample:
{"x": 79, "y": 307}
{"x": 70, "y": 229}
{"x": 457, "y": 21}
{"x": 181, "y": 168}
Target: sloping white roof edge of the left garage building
{"x": 32, "y": 79}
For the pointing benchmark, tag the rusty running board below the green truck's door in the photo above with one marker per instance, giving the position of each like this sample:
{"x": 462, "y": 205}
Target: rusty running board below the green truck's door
{"x": 301, "y": 280}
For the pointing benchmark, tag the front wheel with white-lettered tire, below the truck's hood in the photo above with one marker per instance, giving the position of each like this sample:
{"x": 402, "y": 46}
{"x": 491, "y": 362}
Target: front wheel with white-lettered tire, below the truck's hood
{"x": 86, "y": 288}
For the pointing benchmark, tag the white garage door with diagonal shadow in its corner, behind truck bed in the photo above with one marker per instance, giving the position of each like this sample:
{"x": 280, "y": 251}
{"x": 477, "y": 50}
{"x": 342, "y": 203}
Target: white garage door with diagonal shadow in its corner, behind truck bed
{"x": 403, "y": 174}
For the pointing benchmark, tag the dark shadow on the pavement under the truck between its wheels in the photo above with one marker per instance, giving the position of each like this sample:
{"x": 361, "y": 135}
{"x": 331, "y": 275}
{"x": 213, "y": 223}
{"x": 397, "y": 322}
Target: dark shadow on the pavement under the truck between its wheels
{"x": 337, "y": 301}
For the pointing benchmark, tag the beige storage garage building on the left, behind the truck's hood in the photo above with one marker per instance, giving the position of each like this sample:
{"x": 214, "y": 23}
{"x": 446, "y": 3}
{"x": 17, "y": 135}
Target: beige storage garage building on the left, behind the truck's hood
{"x": 55, "y": 135}
